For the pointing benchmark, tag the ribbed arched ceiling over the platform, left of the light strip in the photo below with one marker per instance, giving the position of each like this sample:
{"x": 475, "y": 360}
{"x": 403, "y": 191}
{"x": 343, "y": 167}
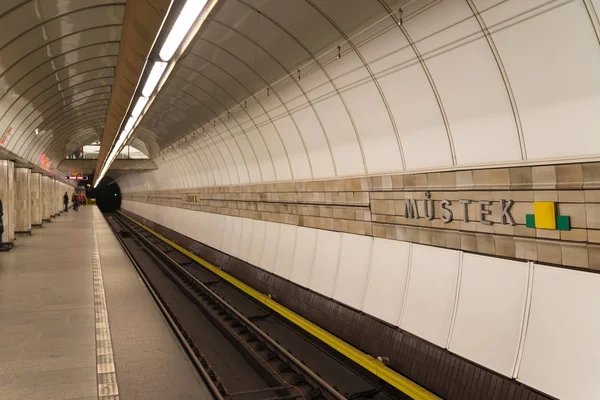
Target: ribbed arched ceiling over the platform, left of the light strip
{"x": 57, "y": 68}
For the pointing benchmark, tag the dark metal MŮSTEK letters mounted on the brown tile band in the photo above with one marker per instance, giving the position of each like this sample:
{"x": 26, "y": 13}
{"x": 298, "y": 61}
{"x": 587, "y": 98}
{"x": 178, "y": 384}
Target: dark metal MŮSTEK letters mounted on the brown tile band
{"x": 411, "y": 210}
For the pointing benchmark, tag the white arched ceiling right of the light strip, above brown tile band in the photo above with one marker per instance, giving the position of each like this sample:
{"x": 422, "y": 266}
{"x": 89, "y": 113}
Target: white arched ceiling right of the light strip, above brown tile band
{"x": 263, "y": 94}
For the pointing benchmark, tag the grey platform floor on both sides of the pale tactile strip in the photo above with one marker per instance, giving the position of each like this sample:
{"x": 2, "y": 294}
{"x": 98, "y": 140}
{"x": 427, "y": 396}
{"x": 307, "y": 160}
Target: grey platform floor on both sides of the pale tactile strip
{"x": 47, "y": 321}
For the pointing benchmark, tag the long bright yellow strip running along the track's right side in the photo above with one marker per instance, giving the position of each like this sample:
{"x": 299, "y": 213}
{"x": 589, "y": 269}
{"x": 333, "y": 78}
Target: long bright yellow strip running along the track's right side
{"x": 373, "y": 365}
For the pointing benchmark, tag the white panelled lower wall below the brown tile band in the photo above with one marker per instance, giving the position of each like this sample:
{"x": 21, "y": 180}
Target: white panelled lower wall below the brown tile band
{"x": 485, "y": 309}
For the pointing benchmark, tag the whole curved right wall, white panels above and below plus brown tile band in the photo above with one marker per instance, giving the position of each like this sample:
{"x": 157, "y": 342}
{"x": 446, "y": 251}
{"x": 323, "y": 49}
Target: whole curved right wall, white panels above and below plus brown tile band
{"x": 458, "y": 85}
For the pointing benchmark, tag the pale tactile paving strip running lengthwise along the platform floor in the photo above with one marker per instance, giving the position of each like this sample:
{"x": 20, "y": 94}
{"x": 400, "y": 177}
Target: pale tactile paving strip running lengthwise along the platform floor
{"x": 108, "y": 388}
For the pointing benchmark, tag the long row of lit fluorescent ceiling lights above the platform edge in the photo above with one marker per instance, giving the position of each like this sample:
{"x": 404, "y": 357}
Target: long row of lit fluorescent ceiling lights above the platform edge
{"x": 186, "y": 26}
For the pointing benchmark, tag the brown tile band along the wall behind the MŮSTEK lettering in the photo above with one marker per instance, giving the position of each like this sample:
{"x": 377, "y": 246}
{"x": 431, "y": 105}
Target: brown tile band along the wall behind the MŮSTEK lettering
{"x": 377, "y": 206}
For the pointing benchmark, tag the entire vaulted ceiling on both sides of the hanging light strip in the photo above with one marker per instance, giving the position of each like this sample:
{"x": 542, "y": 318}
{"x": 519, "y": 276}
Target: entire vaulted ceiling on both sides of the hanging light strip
{"x": 261, "y": 95}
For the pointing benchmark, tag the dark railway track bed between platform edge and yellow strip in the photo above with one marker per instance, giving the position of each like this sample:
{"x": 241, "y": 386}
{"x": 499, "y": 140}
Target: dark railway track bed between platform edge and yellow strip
{"x": 242, "y": 350}
